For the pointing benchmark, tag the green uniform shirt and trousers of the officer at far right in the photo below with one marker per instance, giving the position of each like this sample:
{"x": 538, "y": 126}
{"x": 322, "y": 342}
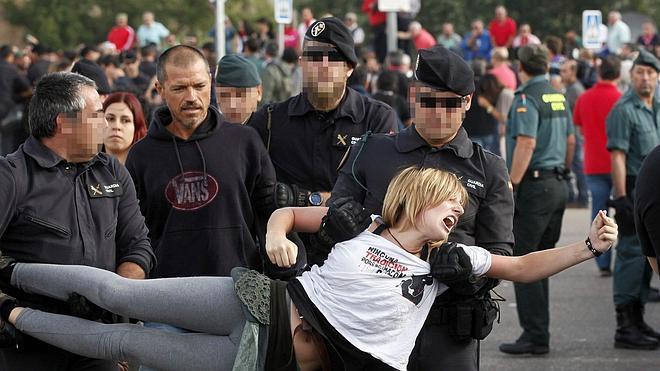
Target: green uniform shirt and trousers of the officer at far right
{"x": 634, "y": 128}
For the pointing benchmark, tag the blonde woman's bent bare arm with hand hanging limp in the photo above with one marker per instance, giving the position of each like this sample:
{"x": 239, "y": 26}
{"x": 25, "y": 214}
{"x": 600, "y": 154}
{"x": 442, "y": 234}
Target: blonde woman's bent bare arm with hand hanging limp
{"x": 280, "y": 250}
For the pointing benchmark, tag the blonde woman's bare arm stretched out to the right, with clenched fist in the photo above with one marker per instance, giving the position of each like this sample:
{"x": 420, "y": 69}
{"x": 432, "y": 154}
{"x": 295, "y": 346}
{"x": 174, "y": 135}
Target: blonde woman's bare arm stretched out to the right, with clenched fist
{"x": 542, "y": 264}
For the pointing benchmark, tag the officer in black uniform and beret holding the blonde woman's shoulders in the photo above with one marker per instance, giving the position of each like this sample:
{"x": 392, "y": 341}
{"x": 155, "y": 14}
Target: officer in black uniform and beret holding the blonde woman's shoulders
{"x": 440, "y": 95}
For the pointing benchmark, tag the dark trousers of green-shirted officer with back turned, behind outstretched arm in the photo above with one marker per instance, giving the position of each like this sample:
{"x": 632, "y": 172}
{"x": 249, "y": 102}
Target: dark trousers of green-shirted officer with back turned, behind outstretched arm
{"x": 539, "y": 209}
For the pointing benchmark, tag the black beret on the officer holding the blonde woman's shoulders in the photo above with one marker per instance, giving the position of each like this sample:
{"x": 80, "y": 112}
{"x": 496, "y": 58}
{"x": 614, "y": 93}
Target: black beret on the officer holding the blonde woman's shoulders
{"x": 444, "y": 70}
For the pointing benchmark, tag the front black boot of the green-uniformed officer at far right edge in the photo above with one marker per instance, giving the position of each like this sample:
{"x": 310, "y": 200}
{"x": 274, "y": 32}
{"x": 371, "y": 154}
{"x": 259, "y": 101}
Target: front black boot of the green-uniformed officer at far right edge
{"x": 628, "y": 334}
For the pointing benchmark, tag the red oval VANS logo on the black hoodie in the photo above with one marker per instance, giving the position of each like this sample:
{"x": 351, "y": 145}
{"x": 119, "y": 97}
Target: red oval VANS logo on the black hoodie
{"x": 191, "y": 190}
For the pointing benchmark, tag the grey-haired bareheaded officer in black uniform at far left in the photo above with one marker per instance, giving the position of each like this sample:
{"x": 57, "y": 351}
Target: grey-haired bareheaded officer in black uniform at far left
{"x": 63, "y": 202}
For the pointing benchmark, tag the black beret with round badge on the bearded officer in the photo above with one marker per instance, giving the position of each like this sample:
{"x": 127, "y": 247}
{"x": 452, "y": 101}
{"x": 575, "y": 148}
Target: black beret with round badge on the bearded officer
{"x": 332, "y": 30}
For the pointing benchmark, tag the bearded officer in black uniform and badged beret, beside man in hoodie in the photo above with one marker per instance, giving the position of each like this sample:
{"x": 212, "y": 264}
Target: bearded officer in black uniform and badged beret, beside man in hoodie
{"x": 308, "y": 135}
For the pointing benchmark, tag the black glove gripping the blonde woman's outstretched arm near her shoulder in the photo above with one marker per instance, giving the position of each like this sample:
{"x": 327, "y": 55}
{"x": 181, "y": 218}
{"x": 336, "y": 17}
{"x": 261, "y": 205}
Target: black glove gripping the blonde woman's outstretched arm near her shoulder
{"x": 450, "y": 265}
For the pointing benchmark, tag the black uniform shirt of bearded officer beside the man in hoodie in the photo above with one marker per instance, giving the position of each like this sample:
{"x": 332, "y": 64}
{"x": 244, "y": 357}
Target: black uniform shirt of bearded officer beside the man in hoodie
{"x": 307, "y": 146}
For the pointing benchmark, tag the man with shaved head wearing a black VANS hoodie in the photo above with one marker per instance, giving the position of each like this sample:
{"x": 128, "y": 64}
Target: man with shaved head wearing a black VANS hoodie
{"x": 198, "y": 177}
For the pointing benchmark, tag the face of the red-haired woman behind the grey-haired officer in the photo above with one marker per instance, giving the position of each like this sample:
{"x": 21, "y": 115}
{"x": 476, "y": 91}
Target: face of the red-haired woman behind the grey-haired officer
{"x": 121, "y": 127}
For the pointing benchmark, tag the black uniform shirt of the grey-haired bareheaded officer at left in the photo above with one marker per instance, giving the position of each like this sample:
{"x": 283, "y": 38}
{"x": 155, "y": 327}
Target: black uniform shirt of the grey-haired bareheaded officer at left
{"x": 53, "y": 211}
